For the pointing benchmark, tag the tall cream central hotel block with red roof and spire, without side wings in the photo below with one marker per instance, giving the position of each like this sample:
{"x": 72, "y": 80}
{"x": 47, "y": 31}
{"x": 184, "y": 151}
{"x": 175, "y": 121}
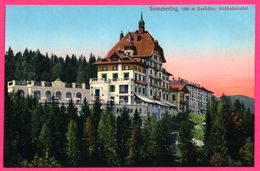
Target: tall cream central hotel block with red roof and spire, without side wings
{"x": 132, "y": 75}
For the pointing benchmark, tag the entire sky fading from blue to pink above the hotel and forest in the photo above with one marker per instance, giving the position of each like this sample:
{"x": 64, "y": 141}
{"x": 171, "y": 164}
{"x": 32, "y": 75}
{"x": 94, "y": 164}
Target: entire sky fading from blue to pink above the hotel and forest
{"x": 215, "y": 49}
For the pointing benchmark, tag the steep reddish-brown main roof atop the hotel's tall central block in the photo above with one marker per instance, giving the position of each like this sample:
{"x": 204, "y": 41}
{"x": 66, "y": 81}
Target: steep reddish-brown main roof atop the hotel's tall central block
{"x": 143, "y": 44}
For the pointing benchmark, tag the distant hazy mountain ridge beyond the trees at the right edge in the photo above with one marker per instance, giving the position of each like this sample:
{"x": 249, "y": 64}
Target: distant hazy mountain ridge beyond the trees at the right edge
{"x": 247, "y": 101}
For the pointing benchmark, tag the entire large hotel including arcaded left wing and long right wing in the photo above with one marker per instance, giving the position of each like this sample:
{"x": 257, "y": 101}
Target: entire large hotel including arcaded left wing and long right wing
{"x": 131, "y": 75}
